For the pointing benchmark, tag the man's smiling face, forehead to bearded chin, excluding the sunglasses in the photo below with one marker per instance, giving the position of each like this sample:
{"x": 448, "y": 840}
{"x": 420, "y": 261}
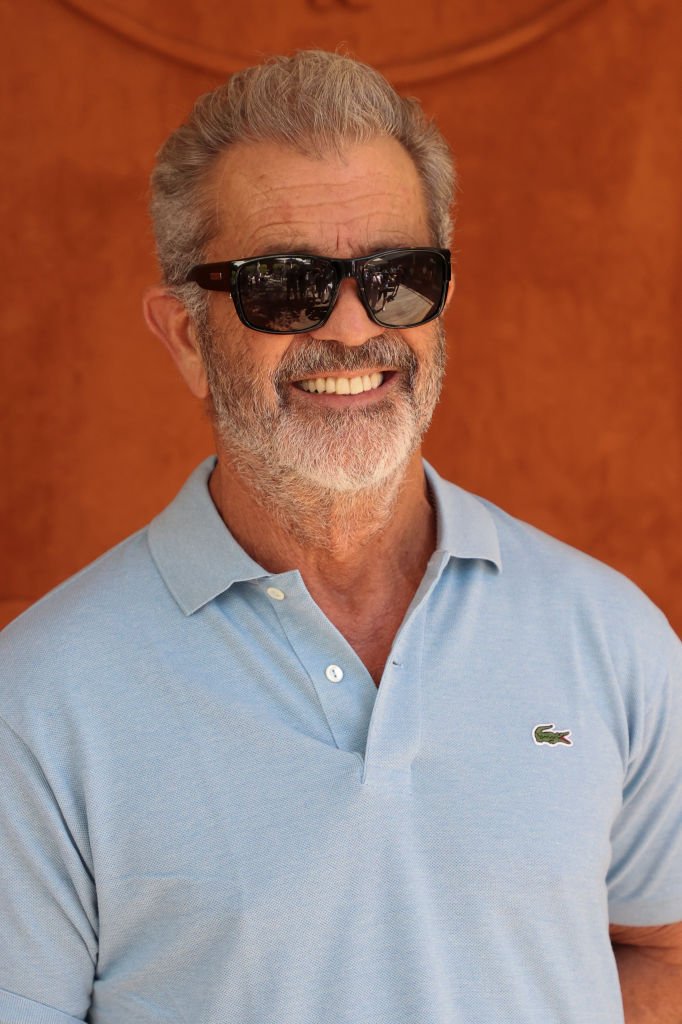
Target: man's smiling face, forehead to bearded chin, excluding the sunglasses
{"x": 269, "y": 414}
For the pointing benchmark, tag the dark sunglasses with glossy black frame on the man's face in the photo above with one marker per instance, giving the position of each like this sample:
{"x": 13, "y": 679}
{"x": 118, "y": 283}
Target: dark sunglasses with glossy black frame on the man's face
{"x": 291, "y": 293}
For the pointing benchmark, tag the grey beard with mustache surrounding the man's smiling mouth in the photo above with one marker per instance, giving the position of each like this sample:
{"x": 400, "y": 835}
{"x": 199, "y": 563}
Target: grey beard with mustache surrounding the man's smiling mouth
{"x": 323, "y": 472}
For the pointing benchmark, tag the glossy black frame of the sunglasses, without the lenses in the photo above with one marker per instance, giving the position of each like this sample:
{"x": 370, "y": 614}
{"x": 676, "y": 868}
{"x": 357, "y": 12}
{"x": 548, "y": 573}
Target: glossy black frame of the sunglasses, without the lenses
{"x": 224, "y": 277}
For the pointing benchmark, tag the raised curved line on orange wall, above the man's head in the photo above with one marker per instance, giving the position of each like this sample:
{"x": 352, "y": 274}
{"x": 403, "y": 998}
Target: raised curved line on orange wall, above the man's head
{"x": 419, "y": 69}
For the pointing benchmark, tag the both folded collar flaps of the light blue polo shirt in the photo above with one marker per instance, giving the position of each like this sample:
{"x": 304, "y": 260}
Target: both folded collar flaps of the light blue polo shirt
{"x": 199, "y": 559}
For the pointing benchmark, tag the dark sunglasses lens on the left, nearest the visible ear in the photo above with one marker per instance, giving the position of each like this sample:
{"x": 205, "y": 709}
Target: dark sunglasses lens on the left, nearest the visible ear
{"x": 285, "y": 294}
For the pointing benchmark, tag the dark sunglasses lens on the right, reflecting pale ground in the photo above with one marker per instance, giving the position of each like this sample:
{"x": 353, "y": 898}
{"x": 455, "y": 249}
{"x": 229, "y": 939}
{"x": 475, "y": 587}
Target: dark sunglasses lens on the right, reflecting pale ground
{"x": 407, "y": 288}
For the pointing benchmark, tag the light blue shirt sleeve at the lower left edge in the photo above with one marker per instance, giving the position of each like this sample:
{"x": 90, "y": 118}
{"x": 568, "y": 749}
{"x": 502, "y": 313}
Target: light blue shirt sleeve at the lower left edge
{"x": 49, "y": 926}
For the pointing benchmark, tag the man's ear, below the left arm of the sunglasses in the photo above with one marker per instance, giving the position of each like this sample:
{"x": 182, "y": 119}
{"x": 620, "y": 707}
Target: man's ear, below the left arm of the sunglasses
{"x": 167, "y": 318}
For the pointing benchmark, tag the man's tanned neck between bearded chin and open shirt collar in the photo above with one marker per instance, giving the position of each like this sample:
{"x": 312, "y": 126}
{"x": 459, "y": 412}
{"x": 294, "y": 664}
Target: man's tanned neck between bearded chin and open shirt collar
{"x": 340, "y": 542}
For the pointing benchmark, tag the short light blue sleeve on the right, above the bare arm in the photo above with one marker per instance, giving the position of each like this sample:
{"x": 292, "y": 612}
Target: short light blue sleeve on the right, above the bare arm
{"x": 646, "y": 877}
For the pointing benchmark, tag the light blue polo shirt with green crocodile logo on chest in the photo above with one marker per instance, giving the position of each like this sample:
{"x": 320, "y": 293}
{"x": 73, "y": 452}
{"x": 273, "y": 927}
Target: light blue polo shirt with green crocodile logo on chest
{"x": 209, "y": 814}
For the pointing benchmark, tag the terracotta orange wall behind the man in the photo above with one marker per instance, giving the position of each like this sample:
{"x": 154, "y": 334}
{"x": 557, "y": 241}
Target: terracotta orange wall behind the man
{"x": 563, "y": 402}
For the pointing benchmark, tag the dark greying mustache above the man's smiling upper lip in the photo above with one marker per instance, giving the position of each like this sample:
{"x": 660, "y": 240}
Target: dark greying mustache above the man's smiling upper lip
{"x": 321, "y": 358}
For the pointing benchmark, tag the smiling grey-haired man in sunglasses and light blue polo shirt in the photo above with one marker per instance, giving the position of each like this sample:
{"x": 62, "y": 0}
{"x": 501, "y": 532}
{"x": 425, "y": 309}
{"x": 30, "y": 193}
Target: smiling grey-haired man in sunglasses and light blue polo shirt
{"x": 332, "y": 740}
